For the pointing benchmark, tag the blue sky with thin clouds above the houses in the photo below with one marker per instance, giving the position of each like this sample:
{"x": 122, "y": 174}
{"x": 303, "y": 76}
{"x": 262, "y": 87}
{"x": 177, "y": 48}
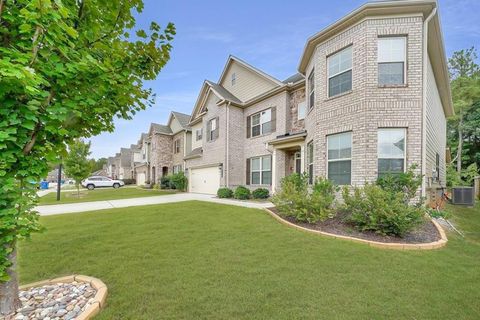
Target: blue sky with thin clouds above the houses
{"x": 267, "y": 34}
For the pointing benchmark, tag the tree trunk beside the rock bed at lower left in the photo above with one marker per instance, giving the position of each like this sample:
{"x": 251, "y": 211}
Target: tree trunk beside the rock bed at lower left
{"x": 9, "y": 300}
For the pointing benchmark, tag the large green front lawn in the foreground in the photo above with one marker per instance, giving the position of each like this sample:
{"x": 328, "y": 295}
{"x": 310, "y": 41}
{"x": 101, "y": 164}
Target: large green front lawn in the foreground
{"x": 197, "y": 260}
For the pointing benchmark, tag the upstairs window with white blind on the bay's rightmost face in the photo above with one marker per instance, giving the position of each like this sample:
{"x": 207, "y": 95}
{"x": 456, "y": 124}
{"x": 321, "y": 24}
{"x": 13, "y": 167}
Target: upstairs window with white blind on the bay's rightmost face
{"x": 392, "y": 57}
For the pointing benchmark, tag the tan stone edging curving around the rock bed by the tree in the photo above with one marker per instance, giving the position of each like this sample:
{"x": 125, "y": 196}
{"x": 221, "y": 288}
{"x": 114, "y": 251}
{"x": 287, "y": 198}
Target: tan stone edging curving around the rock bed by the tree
{"x": 99, "y": 298}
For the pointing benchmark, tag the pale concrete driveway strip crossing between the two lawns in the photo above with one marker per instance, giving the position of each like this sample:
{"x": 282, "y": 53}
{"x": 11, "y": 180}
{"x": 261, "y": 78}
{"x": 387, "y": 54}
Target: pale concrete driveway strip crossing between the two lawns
{"x": 111, "y": 204}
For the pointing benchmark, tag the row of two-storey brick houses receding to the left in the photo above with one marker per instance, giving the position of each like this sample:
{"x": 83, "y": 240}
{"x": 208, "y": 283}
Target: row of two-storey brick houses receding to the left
{"x": 371, "y": 97}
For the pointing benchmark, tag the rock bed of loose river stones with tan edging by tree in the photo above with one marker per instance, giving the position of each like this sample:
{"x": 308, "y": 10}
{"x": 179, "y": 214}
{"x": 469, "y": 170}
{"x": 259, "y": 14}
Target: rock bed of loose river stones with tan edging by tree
{"x": 66, "y": 298}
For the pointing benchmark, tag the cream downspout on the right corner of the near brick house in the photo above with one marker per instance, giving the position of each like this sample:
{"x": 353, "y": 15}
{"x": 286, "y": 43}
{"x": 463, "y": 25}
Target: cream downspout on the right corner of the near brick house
{"x": 424, "y": 102}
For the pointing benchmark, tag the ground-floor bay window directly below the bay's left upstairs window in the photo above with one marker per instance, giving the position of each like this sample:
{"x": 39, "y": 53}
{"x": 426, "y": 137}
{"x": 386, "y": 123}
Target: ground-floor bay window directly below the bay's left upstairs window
{"x": 340, "y": 158}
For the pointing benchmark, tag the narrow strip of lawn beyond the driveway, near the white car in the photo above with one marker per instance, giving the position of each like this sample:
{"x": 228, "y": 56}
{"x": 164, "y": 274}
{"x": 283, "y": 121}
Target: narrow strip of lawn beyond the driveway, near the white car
{"x": 100, "y": 194}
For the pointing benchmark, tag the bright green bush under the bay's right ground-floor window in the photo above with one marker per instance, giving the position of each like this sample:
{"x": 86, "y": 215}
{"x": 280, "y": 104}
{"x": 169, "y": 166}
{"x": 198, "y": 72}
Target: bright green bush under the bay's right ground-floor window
{"x": 406, "y": 182}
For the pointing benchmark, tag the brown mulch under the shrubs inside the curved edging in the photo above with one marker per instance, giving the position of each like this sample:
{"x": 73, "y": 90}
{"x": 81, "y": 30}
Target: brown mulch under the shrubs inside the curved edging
{"x": 425, "y": 233}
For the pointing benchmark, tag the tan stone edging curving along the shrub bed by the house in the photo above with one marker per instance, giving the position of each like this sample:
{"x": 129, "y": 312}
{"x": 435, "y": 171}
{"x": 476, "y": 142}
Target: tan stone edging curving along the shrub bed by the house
{"x": 397, "y": 246}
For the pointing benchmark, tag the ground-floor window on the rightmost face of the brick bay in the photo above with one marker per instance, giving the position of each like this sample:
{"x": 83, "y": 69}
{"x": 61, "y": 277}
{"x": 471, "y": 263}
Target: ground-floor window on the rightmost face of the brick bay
{"x": 391, "y": 151}
